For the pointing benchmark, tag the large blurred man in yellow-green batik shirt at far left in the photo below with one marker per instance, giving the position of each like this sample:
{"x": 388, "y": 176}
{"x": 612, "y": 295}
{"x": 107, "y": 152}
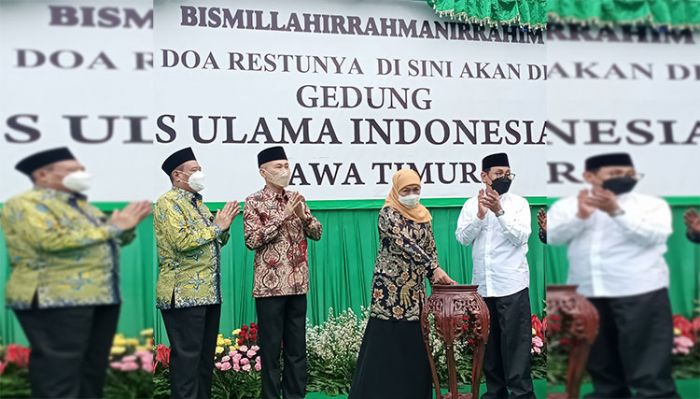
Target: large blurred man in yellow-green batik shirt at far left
{"x": 64, "y": 284}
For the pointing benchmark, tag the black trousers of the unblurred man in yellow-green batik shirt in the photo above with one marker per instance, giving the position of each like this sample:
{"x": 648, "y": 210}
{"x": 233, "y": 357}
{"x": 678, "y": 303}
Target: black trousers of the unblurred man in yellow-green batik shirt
{"x": 192, "y": 333}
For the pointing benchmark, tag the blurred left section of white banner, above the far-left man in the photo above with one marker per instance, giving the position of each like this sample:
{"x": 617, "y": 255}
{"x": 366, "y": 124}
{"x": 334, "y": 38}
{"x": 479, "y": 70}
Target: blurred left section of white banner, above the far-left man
{"x": 80, "y": 74}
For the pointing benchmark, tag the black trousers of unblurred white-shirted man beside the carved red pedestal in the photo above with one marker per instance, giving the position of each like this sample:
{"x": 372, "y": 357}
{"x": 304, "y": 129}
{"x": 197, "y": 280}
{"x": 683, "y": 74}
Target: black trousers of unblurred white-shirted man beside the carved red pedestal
{"x": 507, "y": 358}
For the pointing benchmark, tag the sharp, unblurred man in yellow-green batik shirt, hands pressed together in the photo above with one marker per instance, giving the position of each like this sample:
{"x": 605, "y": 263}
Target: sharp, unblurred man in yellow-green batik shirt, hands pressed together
{"x": 188, "y": 294}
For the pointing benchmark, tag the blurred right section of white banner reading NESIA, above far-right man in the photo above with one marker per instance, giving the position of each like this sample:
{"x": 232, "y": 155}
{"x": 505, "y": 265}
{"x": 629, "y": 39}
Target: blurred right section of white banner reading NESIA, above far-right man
{"x": 625, "y": 89}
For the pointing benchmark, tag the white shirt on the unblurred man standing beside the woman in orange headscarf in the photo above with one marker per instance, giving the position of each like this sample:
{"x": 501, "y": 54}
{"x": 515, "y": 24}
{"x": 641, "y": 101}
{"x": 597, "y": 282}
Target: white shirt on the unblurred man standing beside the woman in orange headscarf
{"x": 499, "y": 245}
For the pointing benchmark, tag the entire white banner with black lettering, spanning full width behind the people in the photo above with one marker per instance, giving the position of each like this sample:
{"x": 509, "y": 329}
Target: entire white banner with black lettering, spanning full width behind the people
{"x": 353, "y": 91}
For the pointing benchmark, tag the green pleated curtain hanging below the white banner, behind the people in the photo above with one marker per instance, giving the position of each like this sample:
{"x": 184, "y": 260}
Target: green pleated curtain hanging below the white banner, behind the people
{"x": 341, "y": 266}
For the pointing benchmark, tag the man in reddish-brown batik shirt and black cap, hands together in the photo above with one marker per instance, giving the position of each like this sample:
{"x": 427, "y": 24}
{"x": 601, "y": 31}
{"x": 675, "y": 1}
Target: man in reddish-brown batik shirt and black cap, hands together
{"x": 277, "y": 223}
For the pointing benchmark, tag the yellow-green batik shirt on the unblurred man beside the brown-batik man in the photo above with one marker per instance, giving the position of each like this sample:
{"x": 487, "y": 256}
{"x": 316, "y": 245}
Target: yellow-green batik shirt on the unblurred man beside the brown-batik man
{"x": 189, "y": 251}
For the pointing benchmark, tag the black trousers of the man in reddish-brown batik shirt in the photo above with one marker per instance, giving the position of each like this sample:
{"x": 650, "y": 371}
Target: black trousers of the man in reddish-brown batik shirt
{"x": 282, "y": 322}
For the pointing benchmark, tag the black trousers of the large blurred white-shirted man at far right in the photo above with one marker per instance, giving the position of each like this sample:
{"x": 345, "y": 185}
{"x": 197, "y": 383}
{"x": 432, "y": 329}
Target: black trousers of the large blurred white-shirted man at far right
{"x": 632, "y": 354}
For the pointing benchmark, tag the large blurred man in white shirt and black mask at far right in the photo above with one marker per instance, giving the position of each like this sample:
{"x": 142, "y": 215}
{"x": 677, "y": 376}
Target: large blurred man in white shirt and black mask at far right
{"x": 616, "y": 241}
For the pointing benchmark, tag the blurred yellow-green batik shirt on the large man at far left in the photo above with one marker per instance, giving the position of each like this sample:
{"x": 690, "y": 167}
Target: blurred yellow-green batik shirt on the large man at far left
{"x": 62, "y": 249}
